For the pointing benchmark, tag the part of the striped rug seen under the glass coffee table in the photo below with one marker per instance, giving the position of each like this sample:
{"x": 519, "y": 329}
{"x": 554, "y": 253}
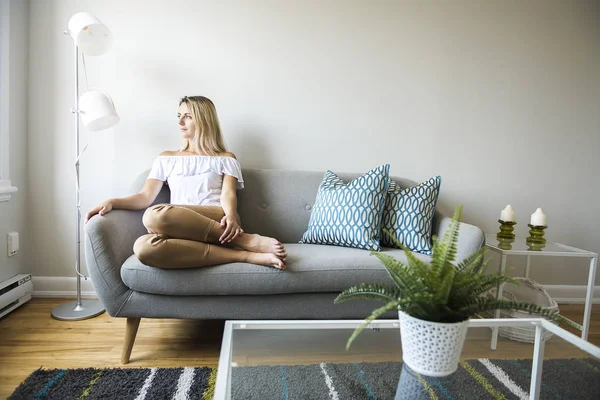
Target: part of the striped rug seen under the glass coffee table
{"x": 475, "y": 379}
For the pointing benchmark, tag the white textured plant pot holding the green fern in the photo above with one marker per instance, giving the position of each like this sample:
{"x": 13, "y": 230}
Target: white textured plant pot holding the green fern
{"x": 431, "y": 348}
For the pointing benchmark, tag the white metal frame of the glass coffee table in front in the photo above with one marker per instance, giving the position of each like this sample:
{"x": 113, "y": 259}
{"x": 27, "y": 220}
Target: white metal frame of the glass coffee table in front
{"x": 223, "y": 384}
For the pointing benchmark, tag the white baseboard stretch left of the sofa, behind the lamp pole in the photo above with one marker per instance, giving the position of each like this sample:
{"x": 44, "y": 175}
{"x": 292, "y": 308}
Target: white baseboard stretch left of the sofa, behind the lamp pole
{"x": 61, "y": 287}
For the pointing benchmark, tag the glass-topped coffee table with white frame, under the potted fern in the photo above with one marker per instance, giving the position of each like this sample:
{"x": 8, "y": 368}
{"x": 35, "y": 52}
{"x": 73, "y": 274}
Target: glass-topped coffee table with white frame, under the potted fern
{"x": 307, "y": 359}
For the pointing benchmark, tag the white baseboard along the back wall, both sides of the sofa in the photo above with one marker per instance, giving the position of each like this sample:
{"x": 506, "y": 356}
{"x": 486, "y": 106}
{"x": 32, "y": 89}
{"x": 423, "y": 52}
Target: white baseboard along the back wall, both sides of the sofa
{"x": 62, "y": 287}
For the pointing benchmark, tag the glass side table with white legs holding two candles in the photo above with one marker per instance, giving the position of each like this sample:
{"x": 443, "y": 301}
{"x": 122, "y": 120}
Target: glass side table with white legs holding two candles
{"x": 519, "y": 247}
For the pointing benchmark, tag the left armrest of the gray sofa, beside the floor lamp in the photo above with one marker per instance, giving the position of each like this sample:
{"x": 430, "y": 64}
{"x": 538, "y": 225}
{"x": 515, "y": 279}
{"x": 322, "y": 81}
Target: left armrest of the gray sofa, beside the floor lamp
{"x": 108, "y": 243}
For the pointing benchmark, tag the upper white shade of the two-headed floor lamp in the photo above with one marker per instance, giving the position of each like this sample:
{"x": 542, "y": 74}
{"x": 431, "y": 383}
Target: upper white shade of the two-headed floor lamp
{"x": 91, "y": 36}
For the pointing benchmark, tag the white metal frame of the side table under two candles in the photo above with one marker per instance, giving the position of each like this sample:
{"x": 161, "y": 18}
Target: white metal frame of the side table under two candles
{"x": 569, "y": 252}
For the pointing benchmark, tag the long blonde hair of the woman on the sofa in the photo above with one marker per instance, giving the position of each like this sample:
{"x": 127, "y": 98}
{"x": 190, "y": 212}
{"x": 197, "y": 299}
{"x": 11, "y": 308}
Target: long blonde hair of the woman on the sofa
{"x": 207, "y": 138}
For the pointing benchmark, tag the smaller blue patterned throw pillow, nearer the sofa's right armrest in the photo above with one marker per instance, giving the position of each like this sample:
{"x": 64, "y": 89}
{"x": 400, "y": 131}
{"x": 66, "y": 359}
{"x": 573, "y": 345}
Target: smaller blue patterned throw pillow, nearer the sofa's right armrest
{"x": 408, "y": 214}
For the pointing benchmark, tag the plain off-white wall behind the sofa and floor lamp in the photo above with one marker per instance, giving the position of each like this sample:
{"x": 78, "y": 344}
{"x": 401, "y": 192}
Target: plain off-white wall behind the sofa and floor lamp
{"x": 500, "y": 98}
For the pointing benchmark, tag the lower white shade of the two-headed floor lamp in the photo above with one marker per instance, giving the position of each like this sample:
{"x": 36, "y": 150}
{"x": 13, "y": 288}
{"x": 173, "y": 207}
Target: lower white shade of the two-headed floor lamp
{"x": 97, "y": 110}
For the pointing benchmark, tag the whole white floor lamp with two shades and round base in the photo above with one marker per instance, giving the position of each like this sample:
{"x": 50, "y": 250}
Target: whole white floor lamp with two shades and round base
{"x": 97, "y": 112}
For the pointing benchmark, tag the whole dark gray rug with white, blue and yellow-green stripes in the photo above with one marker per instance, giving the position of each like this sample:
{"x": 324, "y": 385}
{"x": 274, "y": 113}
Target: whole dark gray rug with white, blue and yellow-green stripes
{"x": 475, "y": 379}
